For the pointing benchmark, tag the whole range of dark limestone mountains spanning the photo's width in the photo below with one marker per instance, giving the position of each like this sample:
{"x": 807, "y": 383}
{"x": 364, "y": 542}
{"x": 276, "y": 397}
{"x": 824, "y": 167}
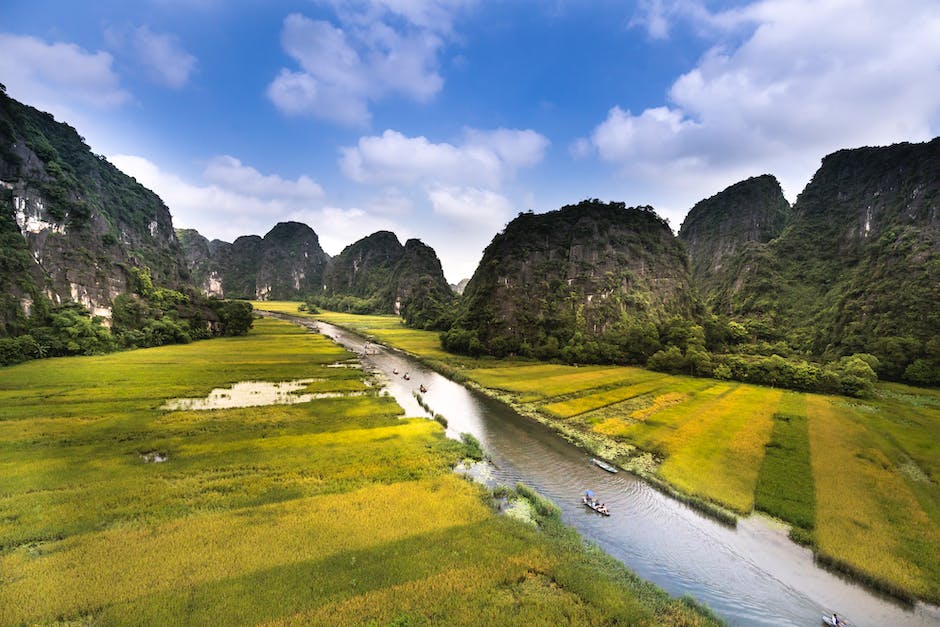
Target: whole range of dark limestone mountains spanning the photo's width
{"x": 853, "y": 267}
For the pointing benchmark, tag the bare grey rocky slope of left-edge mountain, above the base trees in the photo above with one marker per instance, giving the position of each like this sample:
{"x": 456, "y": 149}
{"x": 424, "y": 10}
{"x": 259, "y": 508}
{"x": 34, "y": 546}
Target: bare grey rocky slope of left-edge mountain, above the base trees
{"x": 71, "y": 223}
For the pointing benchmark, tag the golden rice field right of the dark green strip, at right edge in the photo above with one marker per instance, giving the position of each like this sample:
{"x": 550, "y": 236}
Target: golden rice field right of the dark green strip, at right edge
{"x": 871, "y": 515}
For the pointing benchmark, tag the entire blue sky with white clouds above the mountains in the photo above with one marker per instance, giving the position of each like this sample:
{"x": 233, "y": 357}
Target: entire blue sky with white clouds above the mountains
{"x": 443, "y": 119}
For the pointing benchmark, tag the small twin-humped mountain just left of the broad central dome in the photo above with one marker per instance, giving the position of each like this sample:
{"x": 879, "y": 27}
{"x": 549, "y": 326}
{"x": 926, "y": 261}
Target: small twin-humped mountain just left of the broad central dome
{"x": 378, "y": 275}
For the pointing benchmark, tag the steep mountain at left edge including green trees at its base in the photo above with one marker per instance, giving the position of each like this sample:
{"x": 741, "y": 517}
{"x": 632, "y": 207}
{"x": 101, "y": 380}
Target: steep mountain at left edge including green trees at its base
{"x": 84, "y": 247}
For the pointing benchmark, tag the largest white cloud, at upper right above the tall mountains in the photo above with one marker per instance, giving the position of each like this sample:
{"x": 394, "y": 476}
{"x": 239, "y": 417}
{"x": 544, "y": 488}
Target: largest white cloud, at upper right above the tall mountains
{"x": 786, "y": 82}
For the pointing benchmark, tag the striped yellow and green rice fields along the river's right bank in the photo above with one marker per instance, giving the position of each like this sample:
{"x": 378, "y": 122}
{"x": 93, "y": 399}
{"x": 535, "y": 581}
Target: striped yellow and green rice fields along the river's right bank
{"x": 859, "y": 480}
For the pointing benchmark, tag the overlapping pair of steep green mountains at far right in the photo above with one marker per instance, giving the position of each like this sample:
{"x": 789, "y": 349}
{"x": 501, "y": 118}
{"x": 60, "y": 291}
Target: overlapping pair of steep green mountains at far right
{"x": 855, "y": 270}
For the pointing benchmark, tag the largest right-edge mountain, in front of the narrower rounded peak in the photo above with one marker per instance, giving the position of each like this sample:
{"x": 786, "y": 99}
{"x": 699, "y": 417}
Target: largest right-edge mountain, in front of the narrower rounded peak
{"x": 857, "y": 267}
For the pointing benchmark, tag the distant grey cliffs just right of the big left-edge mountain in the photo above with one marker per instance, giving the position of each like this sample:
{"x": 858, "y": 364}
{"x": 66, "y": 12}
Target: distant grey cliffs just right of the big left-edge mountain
{"x": 286, "y": 264}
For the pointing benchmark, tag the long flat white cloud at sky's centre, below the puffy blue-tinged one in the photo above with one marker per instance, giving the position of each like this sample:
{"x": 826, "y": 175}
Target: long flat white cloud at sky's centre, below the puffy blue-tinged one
{"x": 483, "y": 158}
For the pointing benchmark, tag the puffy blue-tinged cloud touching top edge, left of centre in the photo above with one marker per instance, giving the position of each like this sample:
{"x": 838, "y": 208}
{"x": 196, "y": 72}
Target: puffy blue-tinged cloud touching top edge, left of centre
{"x": 378, "y": 49}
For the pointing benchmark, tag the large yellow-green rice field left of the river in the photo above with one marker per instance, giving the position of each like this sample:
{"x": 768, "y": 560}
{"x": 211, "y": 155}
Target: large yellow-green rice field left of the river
{"x": 115, "y": 511}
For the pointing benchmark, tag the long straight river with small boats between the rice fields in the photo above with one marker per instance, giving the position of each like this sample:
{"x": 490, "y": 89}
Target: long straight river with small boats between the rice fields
{"x": 752, "y": 575}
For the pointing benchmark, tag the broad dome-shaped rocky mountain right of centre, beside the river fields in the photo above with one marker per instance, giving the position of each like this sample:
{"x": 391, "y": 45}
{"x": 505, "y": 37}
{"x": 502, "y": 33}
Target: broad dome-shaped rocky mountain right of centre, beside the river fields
{"x": 577, "y": 270}
